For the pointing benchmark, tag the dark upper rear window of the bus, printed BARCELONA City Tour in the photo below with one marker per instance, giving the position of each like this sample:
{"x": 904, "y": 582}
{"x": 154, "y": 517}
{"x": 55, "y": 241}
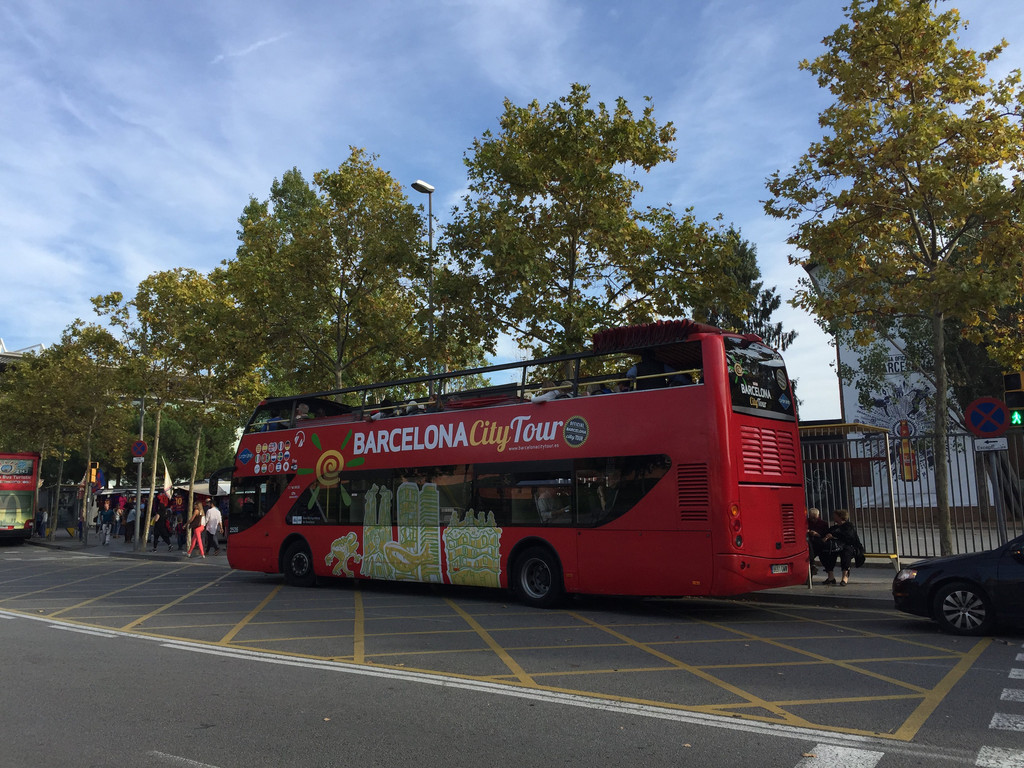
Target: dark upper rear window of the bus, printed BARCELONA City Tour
{"x": 758, "y": 382}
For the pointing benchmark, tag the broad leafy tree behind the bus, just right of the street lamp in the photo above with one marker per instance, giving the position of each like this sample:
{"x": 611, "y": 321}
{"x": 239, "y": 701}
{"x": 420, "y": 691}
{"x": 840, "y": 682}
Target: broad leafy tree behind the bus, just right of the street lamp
{"x": 550, "y": 239}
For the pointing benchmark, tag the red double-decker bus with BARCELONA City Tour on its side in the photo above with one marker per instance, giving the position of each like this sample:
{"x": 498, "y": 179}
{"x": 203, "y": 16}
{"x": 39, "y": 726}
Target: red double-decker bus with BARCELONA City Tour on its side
{"x": 666, "y": 462}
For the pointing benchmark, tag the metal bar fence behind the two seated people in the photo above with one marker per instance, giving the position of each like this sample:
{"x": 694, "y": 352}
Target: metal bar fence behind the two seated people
{"x": 888, "y": 484}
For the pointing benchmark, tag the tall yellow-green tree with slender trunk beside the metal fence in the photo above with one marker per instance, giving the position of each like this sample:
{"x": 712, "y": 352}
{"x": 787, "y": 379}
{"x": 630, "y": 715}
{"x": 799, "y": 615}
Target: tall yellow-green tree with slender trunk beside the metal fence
{"x": 911, "y": 204}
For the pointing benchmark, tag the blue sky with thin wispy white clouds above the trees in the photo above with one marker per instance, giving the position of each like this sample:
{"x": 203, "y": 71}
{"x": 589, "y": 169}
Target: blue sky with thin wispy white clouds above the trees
{"x": 133, "y": 135}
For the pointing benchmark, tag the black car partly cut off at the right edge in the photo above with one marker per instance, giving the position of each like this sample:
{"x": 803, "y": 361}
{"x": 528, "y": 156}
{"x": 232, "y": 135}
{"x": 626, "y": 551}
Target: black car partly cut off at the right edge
{"x": 966, "y": 594}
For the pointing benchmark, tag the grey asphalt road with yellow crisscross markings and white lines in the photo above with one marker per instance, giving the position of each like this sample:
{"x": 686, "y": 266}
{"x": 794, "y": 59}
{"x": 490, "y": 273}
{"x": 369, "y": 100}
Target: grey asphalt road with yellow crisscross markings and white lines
{"x": 163, "y": 662}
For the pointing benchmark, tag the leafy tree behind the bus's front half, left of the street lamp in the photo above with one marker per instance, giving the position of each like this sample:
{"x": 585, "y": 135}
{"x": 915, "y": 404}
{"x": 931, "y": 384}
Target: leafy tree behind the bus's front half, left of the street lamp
{"x": 324, "y": 278}
